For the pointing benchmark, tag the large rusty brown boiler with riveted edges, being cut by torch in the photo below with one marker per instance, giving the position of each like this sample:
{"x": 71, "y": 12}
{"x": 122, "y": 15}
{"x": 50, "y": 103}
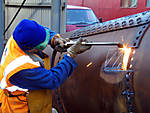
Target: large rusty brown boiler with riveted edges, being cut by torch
{"x": 92, "y": 90}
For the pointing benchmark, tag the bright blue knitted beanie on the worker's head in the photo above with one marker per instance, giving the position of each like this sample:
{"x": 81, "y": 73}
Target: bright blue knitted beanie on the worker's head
{"x": 29, "y": 34}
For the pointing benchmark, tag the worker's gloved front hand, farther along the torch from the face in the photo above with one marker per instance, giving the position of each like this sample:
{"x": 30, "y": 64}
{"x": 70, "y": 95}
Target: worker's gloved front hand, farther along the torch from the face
{"x": 77, "y": 48}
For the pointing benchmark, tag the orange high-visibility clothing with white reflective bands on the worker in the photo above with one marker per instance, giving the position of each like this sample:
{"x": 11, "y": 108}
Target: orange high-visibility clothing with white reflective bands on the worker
{"x": 14, "y": 60}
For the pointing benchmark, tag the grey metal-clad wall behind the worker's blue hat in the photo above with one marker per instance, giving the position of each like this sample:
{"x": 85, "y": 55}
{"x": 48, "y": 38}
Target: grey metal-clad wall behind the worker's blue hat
{"x": 39, "y": 10}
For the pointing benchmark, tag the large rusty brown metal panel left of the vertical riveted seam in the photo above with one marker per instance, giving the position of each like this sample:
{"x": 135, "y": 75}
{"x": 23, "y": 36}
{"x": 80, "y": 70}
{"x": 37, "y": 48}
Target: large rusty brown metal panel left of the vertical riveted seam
{"x": 90, "y": 89}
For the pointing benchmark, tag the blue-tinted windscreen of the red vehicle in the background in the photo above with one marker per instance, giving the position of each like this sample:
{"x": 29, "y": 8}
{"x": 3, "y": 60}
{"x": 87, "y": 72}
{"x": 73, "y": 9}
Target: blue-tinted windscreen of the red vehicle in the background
{"x": 81, "y": 17}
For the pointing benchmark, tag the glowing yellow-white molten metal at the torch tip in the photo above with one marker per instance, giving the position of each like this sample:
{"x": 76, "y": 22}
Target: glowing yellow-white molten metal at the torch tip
{"x": 126, "y": 50}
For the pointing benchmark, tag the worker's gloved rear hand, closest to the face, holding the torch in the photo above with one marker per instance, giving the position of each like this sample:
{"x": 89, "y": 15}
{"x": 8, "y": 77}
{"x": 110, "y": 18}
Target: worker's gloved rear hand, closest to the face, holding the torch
{"x": 58, "y": 40}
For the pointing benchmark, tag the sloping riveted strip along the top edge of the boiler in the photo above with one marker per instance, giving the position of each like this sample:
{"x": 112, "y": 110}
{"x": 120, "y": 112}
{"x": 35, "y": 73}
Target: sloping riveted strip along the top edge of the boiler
{"x": 116, "y": 24}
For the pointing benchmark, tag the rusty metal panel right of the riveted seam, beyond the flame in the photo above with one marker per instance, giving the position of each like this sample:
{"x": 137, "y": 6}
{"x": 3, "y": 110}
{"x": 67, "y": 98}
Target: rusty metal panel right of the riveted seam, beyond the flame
{"x": 141, "y": 65}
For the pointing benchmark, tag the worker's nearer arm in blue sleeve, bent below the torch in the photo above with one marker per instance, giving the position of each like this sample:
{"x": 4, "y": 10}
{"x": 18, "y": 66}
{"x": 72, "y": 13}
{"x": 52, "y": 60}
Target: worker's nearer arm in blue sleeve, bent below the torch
{"x": 40, "y": 78}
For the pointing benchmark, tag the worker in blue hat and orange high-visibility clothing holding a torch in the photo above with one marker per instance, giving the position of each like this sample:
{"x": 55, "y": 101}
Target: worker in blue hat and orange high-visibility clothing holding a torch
{"x": 21, "y": 70}
